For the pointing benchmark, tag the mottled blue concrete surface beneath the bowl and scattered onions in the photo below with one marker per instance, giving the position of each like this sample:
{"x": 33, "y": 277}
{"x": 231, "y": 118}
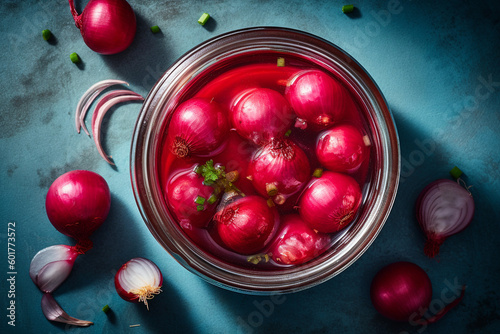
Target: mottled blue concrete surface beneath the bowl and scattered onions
{"x": 437, "y": 62}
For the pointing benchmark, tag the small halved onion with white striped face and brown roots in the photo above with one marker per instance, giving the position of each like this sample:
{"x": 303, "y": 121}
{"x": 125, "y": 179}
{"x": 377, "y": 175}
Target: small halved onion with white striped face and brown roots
{"x": 138, "y": 280}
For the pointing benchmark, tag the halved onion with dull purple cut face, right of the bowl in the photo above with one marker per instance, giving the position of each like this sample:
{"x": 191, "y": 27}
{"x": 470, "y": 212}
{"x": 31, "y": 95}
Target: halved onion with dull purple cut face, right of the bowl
{"x": 443, "y": 208}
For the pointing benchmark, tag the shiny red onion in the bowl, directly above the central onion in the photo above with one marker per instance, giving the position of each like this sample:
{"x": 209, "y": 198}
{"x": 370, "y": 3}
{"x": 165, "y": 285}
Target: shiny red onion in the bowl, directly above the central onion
{"x": 259, "y": 114}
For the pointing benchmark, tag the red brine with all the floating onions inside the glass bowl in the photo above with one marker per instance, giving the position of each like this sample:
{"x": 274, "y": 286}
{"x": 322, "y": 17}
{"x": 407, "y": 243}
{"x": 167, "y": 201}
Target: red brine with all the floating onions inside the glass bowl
{"x": 293, "y": 134}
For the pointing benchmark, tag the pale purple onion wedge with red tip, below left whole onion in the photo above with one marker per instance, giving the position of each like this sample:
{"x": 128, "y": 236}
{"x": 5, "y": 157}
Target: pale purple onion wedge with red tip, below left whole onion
{"x": 51, "y": 266}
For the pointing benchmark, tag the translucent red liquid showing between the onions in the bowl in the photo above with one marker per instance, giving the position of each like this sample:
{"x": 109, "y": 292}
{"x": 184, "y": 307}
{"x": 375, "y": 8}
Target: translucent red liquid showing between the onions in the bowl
{"x": 222, "y": 82}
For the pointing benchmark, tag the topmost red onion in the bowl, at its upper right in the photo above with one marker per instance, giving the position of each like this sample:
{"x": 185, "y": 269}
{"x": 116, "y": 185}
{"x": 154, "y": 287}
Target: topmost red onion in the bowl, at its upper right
{"x": 317, "y": 99}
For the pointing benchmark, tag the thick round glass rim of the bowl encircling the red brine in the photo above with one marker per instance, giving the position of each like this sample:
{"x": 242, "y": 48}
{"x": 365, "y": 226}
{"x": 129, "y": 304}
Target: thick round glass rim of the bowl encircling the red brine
{"x": 379, "y": 191}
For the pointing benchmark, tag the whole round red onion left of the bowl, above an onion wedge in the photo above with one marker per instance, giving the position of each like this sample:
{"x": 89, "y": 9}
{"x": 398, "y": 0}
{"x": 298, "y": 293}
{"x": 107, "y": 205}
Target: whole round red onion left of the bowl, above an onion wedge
{"x": 77, "y": 203}
